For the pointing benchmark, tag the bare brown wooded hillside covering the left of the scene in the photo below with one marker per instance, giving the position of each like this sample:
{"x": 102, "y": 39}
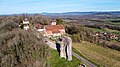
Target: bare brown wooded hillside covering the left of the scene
{"x": 19, "y": 48}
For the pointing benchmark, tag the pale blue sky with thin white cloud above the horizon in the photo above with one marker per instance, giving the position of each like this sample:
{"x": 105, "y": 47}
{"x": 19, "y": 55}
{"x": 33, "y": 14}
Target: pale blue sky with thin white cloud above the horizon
{"x": 57, "y": 6}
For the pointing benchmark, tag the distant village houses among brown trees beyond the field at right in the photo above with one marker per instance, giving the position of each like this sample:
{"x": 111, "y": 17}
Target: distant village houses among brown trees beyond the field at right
{"x": 107, "y": 40}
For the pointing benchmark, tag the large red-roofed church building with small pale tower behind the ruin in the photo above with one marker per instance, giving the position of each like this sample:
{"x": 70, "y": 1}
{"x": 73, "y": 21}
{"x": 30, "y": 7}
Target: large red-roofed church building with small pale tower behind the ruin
{"x": 51, "y": 30}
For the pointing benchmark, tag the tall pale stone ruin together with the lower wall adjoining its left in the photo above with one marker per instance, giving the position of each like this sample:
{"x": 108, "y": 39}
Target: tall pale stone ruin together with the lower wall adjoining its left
{"x": 64, "y": 47}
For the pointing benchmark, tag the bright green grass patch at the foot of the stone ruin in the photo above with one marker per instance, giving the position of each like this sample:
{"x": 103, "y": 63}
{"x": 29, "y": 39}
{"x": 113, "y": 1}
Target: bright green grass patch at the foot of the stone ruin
{"x": 56, "y": 61}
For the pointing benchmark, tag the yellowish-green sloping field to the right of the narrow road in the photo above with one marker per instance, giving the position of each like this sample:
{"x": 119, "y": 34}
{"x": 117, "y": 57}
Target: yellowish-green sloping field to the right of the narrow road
{"x": 105, "y": 57}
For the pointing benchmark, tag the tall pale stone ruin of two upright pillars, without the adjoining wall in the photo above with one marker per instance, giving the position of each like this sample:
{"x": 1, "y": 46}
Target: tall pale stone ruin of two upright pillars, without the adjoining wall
{"x": 66, "y": 48}
